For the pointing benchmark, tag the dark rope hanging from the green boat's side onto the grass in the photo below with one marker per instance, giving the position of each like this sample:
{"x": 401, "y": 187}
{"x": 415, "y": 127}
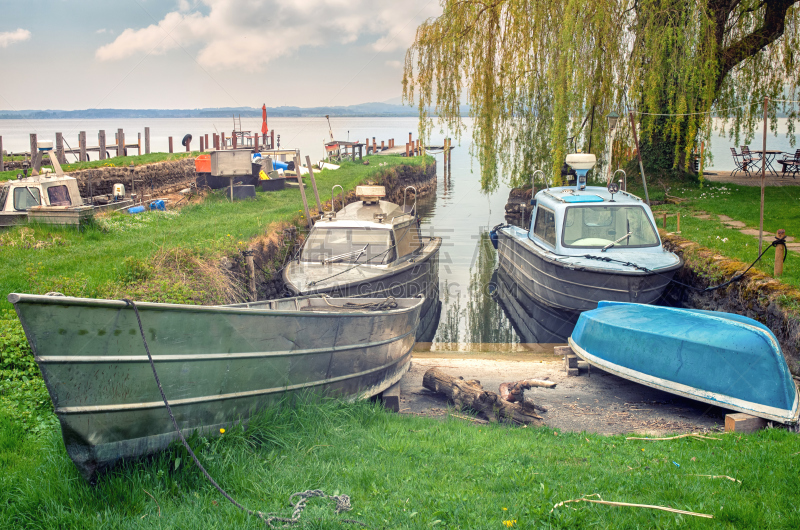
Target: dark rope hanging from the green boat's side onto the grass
{"x": 342, "y": 501}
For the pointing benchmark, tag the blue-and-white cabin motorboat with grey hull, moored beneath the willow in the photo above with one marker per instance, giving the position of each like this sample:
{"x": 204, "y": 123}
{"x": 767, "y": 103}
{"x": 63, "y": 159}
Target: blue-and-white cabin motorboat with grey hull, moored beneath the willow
{"x": 586, "y": 244}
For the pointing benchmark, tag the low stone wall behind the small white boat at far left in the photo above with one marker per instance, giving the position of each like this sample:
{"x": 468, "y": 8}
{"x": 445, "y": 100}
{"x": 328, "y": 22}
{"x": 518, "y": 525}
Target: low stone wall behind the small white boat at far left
{"x": 148, "y": 178}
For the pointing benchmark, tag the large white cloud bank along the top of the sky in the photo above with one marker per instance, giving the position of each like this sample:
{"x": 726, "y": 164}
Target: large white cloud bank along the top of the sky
{"x": 248, "y": 34}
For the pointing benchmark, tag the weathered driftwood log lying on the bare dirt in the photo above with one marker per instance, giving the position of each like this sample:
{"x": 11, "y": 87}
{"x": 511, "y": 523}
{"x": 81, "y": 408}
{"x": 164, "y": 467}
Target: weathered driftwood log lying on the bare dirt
{"x": 471, "y": 395}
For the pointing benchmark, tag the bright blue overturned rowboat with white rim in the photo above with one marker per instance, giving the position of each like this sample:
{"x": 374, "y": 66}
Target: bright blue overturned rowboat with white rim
{"x": 724, "y": 359}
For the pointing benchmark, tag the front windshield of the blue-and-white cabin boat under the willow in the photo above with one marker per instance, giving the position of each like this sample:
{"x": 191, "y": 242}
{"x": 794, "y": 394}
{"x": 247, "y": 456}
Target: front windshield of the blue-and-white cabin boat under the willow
{"x": 598, "y": 226}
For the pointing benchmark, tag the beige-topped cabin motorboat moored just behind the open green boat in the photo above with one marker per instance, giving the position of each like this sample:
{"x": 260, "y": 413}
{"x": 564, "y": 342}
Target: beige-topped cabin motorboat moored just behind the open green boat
{"x": 371, "y": 248}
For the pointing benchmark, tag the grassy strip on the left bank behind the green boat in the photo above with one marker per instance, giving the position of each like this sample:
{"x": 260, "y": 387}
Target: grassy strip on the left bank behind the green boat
{"x": 67, "y": 259}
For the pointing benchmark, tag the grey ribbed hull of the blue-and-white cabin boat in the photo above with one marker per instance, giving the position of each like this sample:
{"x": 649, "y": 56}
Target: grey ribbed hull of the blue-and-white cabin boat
{"x": 569, "y": 288}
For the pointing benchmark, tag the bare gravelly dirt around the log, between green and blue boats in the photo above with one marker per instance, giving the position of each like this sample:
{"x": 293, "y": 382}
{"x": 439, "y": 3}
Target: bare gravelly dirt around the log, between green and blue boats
{"x": 598, "y": 402}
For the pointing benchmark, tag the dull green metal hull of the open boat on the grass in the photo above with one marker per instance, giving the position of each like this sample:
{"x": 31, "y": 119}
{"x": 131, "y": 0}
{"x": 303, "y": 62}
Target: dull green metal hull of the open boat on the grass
{"x": 217, "y": 365}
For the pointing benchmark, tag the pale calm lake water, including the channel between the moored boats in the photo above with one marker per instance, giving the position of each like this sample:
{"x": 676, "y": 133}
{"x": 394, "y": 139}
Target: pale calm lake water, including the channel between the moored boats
{"x": 460, "y": 212}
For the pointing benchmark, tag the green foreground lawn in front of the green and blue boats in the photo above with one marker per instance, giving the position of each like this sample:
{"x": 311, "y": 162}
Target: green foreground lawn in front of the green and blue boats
{"x": 409, "y": 472}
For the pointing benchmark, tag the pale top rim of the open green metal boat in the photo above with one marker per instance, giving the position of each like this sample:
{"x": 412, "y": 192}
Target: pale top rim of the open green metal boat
{"x": 16, "y": 298}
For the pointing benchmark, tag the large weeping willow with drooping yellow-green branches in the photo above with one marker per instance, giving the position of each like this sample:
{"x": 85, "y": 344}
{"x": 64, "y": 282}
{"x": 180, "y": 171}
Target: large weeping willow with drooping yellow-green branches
{"x": 536, "y": 73}
